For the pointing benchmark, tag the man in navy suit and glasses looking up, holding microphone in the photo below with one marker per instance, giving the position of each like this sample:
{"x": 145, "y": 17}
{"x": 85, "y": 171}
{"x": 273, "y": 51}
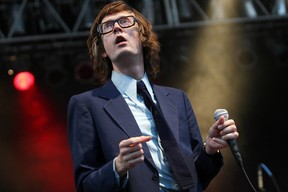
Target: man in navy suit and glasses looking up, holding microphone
{"x": 114, "y": 140}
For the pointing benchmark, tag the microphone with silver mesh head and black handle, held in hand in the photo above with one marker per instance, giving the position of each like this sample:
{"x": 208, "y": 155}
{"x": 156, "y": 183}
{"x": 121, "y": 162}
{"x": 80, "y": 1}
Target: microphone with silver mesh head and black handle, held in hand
{"x": 232, "y": 142}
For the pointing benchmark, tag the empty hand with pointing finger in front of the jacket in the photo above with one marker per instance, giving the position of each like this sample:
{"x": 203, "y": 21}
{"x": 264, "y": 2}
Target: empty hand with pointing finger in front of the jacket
{"x": 131, "y": 154}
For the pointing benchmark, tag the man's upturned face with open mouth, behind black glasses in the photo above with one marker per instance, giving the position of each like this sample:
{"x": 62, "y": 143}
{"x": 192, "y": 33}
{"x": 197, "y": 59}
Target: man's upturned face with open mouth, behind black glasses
{"x": 121, "y": 41}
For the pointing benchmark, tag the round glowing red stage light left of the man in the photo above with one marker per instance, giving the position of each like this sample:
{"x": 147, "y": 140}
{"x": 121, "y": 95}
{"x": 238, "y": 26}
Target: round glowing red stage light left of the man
{"x": 24, "y": 81}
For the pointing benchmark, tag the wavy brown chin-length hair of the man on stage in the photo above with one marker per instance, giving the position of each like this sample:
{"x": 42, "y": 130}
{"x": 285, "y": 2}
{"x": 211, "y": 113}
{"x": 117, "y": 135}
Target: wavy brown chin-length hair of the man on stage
{"x": 151, "y": 47}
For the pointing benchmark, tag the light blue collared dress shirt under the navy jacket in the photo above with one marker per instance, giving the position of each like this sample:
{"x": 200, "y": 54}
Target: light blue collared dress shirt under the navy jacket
{"x": 127, "y": 86}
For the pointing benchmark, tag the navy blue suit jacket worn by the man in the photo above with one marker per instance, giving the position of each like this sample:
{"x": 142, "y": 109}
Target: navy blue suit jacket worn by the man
{"x": 100, "y": 118}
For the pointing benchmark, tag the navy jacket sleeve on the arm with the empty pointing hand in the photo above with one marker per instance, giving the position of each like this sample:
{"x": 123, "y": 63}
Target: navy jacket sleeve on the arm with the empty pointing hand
{"x": 91, "y": 172}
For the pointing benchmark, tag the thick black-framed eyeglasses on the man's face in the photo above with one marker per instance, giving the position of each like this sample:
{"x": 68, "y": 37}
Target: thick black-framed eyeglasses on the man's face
{"x": 124, "y": 22}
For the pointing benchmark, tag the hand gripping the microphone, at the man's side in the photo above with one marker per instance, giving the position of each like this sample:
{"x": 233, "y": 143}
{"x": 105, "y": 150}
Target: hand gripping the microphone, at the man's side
{"x": 219, "y": 133}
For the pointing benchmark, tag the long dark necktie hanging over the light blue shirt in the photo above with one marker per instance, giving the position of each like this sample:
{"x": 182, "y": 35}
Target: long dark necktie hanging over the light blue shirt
{"x": 175, "y": 158}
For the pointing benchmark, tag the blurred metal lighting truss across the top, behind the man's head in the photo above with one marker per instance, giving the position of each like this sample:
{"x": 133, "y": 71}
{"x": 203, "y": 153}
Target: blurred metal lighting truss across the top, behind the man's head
{"x": 72, "y": 17}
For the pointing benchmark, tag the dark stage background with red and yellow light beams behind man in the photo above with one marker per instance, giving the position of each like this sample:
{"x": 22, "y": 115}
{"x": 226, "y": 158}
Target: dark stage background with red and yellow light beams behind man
{"x": 236, "y": 62}
